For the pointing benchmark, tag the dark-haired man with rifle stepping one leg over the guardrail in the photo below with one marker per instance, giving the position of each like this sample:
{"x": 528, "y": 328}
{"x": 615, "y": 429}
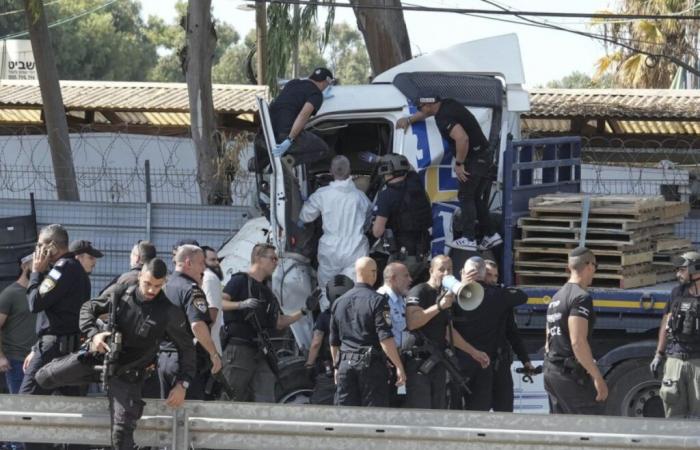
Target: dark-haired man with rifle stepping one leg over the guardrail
{"x": 144, "y": 318}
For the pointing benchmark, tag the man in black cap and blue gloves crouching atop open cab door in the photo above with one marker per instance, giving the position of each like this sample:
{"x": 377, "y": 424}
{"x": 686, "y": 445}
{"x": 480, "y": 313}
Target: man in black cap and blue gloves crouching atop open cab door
{"x": 292, "y": 108}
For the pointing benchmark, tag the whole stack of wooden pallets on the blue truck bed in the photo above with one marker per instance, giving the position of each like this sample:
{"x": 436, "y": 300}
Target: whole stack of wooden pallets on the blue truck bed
{"x": 624, "y": 232}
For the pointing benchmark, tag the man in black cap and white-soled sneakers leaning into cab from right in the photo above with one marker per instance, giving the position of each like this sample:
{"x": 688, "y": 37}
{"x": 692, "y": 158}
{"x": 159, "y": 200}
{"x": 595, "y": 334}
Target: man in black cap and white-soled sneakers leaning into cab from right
{"x": 473, "y": 165}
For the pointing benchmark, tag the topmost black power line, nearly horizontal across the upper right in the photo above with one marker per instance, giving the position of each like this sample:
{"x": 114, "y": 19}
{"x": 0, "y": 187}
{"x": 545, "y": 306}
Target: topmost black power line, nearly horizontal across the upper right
{"x": 494, "y": 12}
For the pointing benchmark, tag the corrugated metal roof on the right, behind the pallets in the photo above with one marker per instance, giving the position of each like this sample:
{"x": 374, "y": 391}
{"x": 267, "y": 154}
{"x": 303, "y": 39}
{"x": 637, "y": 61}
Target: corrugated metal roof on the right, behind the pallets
{"x": 615, "y": 103}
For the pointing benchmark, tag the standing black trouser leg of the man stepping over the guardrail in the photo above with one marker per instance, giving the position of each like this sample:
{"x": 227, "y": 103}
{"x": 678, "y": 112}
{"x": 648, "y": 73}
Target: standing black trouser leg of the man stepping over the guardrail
{"x": 126, "y": 408}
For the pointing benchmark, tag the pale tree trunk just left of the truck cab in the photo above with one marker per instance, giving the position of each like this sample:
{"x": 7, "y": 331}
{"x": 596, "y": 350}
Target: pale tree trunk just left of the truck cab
{"x": 201, "y": 41}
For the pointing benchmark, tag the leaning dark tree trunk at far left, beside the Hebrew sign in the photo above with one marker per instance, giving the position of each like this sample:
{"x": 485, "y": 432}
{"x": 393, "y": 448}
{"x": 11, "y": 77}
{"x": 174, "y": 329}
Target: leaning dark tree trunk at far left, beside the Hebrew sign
{"x": 54, "y": 112}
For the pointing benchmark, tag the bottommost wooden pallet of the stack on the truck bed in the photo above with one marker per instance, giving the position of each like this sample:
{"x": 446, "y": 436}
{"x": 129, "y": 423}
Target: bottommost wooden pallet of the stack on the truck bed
{"x": 527, "y": 278}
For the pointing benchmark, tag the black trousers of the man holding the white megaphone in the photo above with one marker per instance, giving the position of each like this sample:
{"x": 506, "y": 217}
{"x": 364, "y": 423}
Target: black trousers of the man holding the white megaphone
{"x": 425, "y": 391}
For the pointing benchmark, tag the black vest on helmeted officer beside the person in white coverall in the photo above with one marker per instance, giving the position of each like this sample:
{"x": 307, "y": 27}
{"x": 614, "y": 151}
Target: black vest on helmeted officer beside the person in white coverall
{"x": 415, "y": 214}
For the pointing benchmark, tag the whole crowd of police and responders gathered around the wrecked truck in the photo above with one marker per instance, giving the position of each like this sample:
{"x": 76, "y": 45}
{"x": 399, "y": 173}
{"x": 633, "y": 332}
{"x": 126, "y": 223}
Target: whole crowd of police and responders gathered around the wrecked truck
{"x": 409, "y": 343}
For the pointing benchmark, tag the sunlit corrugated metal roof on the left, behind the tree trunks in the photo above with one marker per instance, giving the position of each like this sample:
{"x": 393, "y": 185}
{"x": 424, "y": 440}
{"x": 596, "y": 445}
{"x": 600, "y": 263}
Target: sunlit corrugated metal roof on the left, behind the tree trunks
{"x": 131, "y": 96}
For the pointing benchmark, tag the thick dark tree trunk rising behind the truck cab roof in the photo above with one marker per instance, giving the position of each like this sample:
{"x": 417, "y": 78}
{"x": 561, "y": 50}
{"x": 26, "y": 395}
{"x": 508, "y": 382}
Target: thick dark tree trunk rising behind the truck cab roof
{"x": 385, "y": 33}
